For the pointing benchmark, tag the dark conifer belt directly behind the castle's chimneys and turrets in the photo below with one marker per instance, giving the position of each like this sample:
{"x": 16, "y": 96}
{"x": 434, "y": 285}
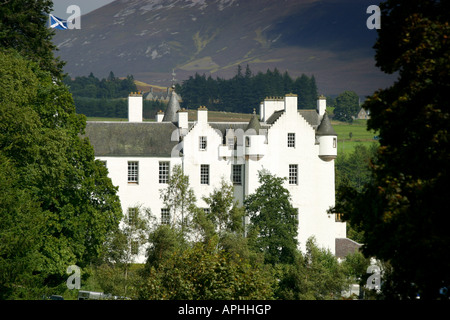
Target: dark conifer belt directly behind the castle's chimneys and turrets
{"x": 244, "y": 92}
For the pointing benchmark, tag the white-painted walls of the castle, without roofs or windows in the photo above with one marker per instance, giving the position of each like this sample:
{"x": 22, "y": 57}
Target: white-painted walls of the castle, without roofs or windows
{"x": 313, "y": 195}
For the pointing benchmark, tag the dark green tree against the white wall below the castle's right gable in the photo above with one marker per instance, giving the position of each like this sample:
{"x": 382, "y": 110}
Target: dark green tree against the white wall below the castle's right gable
{"x": 273, "y": 219}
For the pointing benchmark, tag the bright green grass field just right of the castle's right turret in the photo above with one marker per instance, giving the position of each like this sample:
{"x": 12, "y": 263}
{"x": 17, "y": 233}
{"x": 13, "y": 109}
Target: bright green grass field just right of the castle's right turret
{"x": 360, "y": 135}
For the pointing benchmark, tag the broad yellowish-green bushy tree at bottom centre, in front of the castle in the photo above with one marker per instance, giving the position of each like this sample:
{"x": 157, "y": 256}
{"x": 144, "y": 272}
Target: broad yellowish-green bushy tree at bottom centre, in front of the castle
{"x": 201, "y": 272}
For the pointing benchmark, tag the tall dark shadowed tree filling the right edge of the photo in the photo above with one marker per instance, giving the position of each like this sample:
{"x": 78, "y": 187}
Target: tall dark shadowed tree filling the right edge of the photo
{"x": 401, "y": 212}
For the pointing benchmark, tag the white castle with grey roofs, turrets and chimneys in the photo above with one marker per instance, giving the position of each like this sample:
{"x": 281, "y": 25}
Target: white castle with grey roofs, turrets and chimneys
{"x": 300, "y": 145}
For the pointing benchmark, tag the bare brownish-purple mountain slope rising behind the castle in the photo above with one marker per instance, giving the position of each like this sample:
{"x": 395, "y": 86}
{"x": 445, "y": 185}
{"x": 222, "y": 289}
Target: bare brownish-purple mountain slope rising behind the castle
{"x": 149, "y": 38}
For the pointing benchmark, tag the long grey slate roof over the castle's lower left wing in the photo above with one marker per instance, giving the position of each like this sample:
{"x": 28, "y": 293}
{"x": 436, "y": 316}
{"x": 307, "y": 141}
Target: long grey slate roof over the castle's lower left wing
{"x": 145, "y": 139}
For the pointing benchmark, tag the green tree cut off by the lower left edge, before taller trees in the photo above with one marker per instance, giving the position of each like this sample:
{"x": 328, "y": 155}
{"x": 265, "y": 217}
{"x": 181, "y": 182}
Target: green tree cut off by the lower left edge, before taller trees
{"x": 22, "y": 226}
